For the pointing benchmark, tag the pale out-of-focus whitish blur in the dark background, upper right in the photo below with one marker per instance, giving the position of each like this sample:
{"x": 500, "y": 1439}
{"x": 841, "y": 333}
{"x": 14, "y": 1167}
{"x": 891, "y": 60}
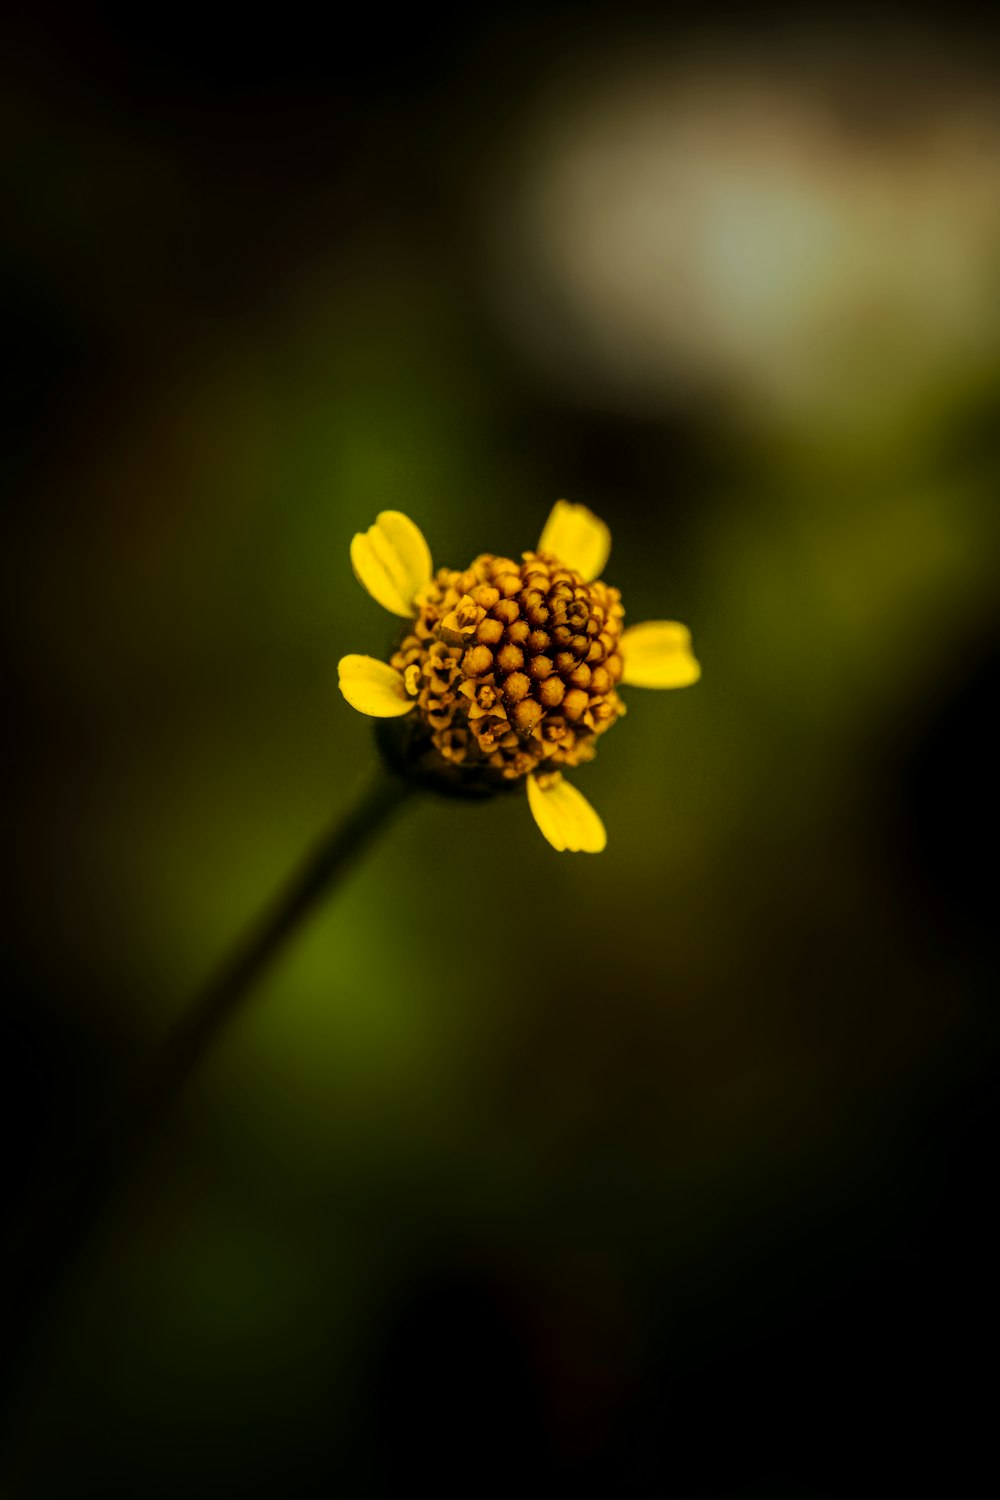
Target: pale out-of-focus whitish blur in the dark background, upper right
{"x": 723, "y": 230}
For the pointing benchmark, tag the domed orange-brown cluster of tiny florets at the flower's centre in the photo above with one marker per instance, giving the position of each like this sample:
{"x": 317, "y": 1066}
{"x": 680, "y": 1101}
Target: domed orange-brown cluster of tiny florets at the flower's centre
{"x": 513, "y": 667}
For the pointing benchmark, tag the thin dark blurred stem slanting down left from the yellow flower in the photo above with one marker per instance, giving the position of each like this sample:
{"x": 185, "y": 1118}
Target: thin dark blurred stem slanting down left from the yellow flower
{"x": 65, "y": 1213}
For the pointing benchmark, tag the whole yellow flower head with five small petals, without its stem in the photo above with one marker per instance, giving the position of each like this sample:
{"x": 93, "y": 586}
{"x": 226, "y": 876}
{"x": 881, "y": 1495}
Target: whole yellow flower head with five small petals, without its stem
{"x": 509, "y": 671}
